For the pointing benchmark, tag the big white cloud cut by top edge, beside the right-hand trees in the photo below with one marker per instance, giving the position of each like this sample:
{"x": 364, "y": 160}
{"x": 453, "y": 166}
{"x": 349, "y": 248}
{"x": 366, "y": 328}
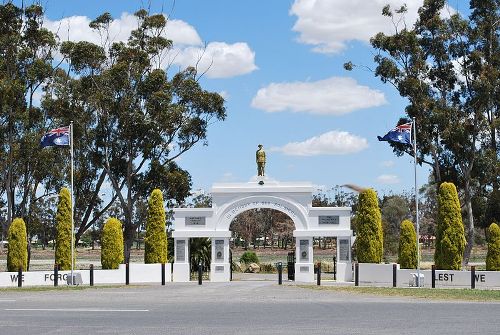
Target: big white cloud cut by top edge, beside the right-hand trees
{"x": 330, "y": 24}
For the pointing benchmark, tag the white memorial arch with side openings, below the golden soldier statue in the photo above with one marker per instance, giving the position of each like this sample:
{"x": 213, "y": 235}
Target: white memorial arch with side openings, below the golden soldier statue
{"x": 231, "y": 199}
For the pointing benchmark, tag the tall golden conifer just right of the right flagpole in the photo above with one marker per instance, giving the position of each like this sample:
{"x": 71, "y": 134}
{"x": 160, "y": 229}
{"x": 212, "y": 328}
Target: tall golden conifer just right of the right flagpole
{"x": 450, "y": 238}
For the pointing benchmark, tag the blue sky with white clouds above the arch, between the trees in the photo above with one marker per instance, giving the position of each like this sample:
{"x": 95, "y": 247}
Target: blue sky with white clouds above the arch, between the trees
{"x": 279, "y": 66}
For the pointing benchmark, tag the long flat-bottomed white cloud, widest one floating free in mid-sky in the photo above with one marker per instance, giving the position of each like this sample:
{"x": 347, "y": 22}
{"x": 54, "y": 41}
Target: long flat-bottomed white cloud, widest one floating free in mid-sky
{"x": 335, "y": 95}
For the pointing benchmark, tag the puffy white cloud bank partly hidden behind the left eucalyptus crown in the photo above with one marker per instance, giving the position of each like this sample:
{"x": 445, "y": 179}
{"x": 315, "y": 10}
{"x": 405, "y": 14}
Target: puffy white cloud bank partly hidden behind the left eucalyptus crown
{"x": 216, "y": 59}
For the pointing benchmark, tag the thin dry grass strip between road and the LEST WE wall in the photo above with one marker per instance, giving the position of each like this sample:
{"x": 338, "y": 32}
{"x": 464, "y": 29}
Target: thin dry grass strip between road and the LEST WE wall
{"x": 420, "y": 293}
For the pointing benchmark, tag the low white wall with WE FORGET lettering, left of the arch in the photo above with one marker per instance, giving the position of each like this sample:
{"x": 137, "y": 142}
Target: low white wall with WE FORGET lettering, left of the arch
{"x": 138, "y": 273}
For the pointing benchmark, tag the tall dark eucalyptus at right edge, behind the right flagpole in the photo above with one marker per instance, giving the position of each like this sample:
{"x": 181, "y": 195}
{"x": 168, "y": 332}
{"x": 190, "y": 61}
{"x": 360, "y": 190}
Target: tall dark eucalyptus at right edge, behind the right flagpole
{"x": 444, "y": 66}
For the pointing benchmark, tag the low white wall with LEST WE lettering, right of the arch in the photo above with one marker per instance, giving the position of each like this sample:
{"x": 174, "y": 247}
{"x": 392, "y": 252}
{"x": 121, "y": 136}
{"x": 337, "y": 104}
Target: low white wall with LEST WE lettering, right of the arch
{"x": 383, "y": 275}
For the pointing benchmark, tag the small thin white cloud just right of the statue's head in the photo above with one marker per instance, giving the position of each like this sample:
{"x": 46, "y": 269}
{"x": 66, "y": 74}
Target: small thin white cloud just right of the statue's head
{"x": 330, "y": 143}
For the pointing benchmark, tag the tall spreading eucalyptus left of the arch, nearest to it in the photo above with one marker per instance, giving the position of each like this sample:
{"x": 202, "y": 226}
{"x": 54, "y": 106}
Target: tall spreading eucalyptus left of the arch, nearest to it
{"x": 141, "y": 118}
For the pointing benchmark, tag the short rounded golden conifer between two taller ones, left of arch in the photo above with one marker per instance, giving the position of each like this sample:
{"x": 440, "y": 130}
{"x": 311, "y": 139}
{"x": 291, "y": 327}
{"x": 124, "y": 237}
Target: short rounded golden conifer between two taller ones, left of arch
{"x": 112, "y": 244}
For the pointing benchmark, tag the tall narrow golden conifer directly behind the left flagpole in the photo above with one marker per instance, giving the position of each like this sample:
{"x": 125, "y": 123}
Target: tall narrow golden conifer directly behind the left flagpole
{"x": 63, "y": 227}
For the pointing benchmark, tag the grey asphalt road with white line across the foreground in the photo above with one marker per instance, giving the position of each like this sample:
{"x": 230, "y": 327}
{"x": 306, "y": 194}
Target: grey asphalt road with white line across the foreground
{"x": 235, "y": 308}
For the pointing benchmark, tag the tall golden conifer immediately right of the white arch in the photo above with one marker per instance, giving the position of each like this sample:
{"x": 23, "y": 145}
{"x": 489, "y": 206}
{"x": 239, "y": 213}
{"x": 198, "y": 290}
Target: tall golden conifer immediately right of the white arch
{"x": 369, "y": 233}
